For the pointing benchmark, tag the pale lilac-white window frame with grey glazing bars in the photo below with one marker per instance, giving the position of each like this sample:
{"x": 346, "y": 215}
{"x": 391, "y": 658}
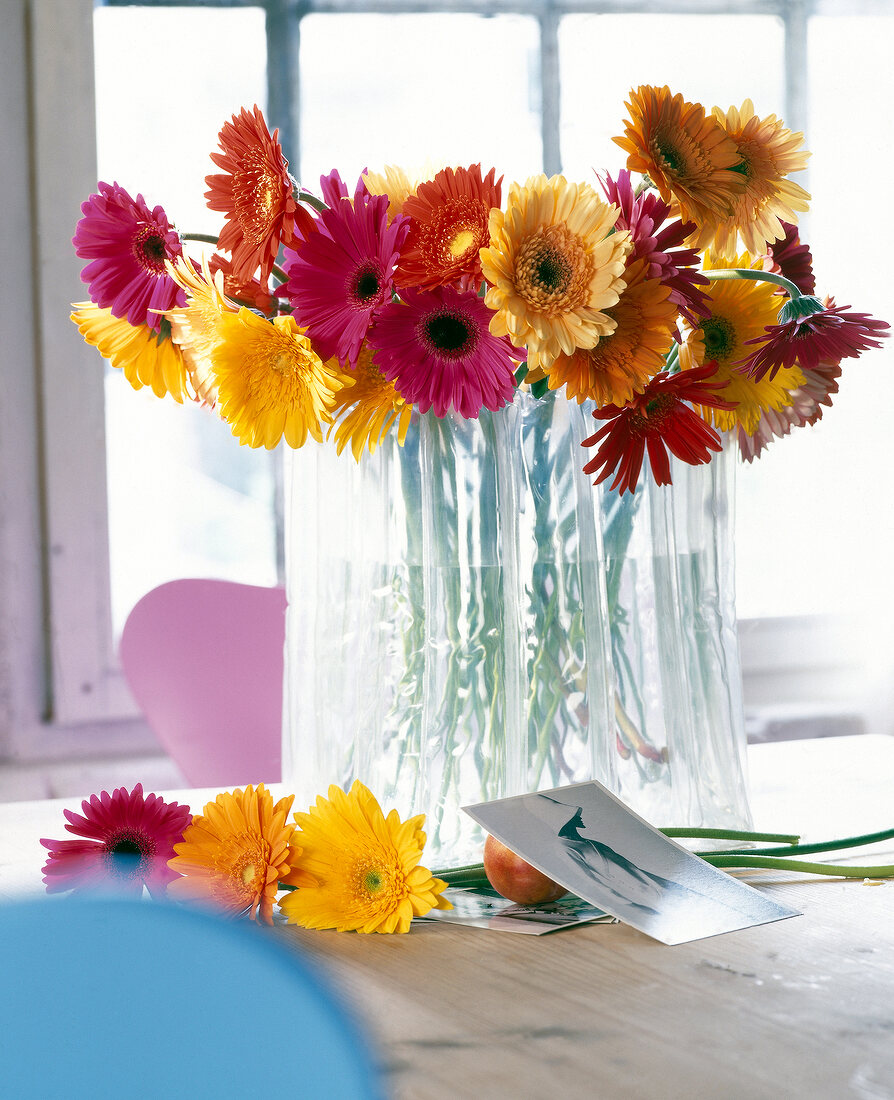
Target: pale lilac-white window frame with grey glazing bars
{"x": 59, "y": 669}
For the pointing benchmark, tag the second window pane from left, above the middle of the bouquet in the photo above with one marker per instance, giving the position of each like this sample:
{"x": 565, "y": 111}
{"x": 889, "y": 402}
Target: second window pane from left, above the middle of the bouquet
{"x": 405, "y": 90}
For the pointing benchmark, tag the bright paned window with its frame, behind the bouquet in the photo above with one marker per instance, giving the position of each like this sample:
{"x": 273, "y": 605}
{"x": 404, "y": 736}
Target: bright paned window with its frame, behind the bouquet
{"x": 525, "y": 86}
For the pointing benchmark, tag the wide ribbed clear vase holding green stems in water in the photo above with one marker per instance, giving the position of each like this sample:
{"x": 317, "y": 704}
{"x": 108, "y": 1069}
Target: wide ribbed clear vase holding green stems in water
{"x": 470, "y": 619}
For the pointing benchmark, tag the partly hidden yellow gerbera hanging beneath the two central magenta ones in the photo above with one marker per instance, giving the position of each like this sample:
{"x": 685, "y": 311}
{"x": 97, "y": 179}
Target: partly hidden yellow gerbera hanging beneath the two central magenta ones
{"x": 367, "y": 408}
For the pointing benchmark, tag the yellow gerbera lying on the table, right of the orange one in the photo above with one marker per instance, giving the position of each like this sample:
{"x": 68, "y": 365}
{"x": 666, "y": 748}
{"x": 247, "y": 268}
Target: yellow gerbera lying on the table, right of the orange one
{"x": 367, "y": 867}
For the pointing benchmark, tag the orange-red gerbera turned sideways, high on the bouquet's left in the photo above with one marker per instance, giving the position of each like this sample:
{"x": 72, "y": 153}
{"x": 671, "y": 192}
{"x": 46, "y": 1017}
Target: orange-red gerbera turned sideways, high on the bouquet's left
{"x": 256, "y": 194}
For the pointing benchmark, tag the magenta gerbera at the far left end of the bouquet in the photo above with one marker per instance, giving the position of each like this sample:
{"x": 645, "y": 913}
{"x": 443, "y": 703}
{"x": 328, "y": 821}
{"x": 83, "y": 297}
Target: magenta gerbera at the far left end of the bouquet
{"x": 128, "y": 245}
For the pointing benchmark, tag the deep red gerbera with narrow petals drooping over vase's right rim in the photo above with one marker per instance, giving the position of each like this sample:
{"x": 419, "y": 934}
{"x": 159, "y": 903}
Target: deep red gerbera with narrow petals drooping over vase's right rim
{"x": 657, "y": 421}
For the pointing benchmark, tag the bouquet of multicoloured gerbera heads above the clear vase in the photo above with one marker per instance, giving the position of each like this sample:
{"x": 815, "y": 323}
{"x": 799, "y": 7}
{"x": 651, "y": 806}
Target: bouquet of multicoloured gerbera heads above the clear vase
{"x": 657, "y": 302}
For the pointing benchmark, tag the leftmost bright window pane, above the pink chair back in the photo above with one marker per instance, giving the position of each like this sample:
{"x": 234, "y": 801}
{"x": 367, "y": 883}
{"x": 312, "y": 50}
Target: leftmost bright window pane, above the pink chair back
{"x": 184, "y": 498}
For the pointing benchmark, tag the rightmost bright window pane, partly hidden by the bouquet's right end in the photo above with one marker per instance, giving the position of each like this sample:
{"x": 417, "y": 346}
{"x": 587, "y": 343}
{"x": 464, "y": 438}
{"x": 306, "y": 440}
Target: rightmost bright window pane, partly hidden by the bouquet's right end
{"x": 821, "y": 529}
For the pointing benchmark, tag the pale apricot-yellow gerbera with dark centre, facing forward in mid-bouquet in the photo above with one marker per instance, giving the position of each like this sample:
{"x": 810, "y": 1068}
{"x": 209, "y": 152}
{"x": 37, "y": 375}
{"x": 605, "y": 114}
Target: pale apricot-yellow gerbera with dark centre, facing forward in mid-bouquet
{"x": 554, "y": 267}
